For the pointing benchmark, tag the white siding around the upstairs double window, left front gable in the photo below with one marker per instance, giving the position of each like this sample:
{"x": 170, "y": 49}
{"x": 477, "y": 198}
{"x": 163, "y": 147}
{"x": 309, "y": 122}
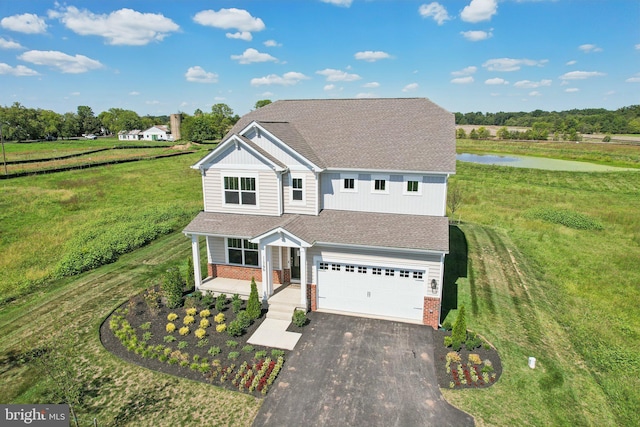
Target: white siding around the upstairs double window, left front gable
{"x": 266, "y": 192}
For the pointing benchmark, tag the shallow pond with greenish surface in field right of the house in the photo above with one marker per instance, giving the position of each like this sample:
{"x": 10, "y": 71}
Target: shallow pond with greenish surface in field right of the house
{"x": 536, "y": 163}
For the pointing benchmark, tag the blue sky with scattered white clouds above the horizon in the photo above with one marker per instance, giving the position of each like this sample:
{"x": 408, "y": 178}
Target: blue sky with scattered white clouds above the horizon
{"x": 160, "y": 57}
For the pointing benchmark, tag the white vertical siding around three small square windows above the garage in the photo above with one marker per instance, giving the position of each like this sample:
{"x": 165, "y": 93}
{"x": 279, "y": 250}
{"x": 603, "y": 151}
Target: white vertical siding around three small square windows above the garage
{"x": 430, "y": 200}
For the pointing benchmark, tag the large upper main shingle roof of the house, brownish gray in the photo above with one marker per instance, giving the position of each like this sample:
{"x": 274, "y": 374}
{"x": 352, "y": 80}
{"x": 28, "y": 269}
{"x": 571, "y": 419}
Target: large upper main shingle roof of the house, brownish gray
{"x": 410, "y": 134}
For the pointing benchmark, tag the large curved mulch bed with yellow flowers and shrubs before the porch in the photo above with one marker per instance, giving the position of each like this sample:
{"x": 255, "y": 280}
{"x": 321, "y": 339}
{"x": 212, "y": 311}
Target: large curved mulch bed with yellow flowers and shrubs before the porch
{"x": 222, "y": 371}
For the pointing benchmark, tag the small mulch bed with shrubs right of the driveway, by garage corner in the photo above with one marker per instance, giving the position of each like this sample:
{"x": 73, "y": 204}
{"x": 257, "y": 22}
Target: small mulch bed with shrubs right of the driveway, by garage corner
{"x": 461, "y": 374}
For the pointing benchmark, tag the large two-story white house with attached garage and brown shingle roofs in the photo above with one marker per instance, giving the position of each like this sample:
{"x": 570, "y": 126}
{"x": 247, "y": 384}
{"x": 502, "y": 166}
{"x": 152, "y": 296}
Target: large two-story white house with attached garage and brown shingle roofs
{"x": 345, "y": 197}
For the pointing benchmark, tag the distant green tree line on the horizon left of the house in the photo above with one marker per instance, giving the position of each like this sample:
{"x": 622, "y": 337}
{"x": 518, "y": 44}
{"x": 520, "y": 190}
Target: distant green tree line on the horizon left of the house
{"x": 20, "y": 123}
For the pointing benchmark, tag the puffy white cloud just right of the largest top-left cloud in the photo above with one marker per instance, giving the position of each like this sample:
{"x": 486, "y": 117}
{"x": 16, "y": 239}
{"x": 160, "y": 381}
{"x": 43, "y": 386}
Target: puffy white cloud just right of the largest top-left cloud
{"x": 231, "y": 19}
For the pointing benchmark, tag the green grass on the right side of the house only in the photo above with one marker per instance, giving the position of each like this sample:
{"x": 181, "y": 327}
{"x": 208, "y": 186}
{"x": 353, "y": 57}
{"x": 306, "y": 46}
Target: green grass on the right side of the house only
{"x": 566, "y": 296}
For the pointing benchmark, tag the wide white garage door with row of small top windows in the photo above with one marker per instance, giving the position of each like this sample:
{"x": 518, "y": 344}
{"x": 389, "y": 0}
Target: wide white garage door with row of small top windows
{"x": 374, "y": 290}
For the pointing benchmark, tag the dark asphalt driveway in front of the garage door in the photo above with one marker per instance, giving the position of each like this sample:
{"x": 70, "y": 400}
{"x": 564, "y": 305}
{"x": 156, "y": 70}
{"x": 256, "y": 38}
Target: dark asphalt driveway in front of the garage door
{"x": 351, "y": 371}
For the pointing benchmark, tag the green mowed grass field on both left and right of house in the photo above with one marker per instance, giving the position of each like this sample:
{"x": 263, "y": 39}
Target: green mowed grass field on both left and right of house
{"x": 567, "y": 297}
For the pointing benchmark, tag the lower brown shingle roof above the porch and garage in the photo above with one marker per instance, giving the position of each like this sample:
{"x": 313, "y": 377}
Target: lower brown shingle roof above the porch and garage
{"x": 414, "y": 232}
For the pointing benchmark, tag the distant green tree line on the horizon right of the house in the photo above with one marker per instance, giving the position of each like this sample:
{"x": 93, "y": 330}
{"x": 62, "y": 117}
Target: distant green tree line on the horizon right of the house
{"x": 587, "y": 121}
